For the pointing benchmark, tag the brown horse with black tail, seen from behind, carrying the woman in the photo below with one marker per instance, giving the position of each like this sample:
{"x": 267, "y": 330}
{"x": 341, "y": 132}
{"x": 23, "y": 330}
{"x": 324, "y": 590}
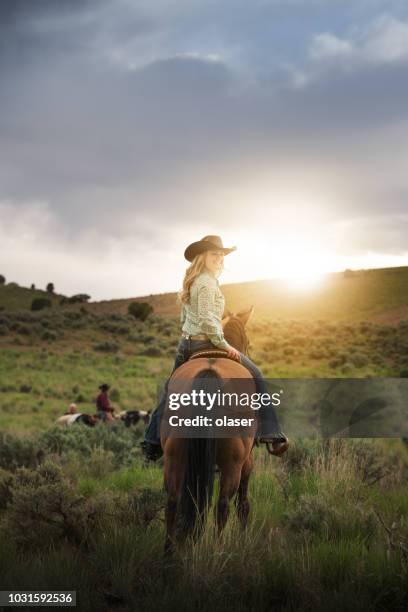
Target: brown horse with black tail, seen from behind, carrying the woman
{"x": 189, "y": 463}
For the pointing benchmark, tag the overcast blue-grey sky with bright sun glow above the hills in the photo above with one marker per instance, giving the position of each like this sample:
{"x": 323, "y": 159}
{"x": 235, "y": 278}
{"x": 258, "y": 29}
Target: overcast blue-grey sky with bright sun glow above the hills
{"x": 130, "y": 128}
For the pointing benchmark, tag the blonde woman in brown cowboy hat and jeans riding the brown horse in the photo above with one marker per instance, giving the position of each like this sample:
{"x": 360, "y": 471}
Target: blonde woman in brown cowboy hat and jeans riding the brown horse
{"x": 201, "y": 317}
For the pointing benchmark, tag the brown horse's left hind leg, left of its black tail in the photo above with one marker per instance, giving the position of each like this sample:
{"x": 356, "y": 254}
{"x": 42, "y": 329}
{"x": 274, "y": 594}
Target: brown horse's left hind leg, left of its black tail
{"x": 173, "y": 480}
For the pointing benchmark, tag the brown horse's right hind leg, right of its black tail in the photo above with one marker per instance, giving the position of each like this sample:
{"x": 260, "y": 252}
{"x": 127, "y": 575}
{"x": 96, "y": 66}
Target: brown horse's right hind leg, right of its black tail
{"x": 230, "y": 462}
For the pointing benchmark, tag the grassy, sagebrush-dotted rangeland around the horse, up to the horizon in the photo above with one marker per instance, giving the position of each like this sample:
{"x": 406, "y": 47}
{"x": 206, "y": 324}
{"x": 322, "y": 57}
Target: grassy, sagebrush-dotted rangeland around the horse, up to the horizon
{"x": 79, "y": 507}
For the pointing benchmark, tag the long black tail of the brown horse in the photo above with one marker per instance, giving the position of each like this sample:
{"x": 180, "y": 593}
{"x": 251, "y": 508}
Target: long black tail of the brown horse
{"x": 198, "y": 482}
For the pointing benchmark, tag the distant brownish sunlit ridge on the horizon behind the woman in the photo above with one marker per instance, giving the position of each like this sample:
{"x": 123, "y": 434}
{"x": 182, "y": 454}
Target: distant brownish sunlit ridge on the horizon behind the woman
{"x": 368, "y": 294}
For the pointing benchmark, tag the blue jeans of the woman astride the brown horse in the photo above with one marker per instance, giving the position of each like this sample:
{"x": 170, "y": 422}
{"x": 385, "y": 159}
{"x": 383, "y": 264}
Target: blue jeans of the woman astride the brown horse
{"x": 267, "y": 414}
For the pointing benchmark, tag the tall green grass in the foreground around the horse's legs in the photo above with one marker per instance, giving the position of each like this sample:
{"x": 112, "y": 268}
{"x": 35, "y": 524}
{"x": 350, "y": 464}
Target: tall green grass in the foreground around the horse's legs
{"x": 288, "y": 559}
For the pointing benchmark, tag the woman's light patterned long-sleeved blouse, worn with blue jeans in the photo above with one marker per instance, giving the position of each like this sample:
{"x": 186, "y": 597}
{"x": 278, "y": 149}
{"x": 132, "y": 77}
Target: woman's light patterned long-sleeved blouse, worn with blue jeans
{"x": 203, "y": 313}
